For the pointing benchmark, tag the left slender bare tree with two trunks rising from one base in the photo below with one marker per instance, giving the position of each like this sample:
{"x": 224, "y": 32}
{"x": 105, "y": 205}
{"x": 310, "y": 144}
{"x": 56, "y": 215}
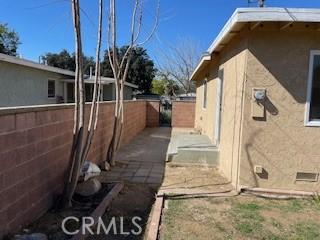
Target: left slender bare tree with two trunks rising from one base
{"x": 80, "y": 147}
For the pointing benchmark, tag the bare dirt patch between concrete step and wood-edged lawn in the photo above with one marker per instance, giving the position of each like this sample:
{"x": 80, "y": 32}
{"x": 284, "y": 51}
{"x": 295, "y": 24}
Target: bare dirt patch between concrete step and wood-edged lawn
{"x": 193, "y": 179}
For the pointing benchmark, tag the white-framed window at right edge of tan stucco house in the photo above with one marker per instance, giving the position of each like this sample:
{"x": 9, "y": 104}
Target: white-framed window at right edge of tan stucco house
{"x": 312, "y": 112}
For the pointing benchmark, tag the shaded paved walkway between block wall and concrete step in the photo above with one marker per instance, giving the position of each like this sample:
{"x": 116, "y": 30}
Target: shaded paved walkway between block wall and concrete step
{"x": 142, "y": 160}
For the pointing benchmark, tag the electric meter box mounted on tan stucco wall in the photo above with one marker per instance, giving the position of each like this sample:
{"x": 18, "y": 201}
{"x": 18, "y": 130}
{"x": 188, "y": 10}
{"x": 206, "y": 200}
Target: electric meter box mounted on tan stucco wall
{"x": 257, "y": 102}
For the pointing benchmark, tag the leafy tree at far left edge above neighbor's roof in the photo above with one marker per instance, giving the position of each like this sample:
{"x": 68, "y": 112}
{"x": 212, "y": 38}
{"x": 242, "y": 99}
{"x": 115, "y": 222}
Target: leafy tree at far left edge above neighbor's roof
{"x": 9, "y": 40}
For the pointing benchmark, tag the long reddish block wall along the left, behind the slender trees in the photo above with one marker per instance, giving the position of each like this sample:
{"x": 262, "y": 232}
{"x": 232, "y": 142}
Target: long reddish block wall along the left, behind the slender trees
{"x": 35, "y": 144}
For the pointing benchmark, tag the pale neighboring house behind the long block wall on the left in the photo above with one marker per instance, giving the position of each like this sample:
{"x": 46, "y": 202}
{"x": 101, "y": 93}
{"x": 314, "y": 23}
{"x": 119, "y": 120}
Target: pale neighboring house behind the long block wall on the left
{"x": 24, "y": 82}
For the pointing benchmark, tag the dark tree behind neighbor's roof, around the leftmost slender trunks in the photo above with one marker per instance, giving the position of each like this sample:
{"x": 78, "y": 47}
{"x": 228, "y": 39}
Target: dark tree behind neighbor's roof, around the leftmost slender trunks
{"x": 66, "y": 60}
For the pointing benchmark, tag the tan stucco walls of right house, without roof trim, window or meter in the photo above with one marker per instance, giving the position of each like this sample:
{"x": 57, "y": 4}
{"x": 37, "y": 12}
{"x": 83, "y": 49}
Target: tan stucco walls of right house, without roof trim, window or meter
{"x": 278, "y": 61}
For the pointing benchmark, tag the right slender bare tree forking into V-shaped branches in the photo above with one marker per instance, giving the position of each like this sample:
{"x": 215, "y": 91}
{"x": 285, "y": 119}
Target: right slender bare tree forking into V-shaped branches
{"x": 120, "y": 66}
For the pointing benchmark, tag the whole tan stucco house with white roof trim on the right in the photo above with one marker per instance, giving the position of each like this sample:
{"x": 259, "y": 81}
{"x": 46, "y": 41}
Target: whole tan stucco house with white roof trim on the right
{"x": 258, "y": 98}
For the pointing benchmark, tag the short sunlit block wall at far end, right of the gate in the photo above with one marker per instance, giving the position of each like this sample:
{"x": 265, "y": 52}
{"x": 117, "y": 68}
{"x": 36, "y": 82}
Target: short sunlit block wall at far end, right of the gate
{"x": 183, "y": 114}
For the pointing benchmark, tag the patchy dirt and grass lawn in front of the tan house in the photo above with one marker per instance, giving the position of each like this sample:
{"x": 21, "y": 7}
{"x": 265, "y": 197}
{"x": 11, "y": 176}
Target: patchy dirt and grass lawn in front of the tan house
{"x": 241, "y": 217}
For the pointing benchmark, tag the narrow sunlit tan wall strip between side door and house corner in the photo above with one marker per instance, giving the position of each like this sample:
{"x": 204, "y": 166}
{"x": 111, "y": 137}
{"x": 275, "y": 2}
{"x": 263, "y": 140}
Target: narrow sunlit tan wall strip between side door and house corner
{"x": 233, "y": 63}
